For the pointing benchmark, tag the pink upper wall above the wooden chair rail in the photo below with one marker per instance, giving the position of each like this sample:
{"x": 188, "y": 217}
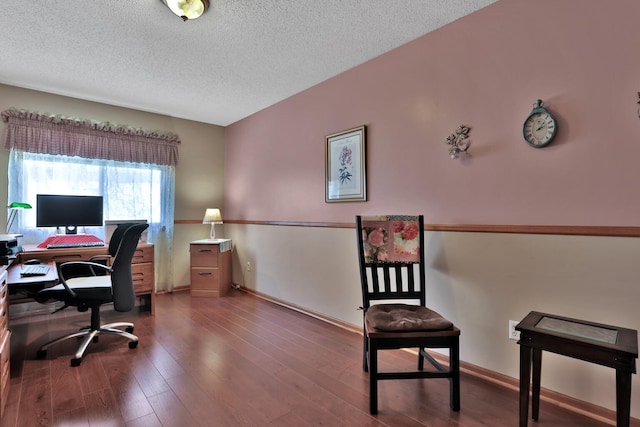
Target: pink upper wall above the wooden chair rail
{"x": 580, "y": 57}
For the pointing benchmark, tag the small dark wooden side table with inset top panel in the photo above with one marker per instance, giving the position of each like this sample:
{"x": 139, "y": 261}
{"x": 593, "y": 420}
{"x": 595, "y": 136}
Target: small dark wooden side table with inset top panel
{"x": 605, "y": 345}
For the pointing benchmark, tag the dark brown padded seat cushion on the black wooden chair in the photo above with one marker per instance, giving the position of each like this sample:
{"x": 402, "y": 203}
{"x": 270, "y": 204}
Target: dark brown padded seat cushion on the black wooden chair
{"x": 405, "y": 317}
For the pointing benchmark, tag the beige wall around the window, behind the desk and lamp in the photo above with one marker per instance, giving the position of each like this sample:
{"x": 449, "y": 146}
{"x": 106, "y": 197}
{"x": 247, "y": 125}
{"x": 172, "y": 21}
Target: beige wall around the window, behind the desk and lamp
{"x": 199, "y": 174}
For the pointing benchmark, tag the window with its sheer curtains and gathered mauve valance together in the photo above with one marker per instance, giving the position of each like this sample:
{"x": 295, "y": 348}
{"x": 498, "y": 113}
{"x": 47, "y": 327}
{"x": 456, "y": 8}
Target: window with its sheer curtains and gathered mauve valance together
{"x": 132, "y": 168}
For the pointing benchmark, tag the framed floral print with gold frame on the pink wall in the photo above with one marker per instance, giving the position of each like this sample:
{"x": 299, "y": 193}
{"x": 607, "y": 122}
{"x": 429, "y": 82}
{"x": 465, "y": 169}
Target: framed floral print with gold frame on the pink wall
{"x": 345, "y": 169}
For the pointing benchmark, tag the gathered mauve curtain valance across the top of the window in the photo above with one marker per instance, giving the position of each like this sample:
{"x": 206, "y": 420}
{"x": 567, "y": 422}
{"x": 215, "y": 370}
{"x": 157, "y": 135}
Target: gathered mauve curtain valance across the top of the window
{"x": 55, "y": 134}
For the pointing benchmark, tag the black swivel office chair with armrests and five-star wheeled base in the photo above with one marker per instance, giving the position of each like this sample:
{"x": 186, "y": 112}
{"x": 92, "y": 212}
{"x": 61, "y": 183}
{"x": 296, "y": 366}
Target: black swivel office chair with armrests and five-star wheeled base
{"x": 90, "y": 292}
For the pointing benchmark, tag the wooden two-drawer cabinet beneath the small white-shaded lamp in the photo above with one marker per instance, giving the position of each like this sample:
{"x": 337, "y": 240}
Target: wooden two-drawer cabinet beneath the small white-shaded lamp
{"x": 210, "y": 267}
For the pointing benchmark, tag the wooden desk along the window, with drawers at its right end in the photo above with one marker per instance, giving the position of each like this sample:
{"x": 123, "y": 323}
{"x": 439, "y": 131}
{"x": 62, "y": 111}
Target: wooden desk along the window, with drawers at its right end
{"x": 142, "y": 265}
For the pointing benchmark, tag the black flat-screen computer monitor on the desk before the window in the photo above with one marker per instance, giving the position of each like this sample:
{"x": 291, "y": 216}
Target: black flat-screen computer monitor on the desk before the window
{"x": 71, "y": 212}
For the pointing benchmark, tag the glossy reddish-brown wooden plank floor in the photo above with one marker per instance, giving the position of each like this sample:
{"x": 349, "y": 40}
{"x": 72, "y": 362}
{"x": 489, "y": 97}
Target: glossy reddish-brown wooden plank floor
{"x": 233, "y": 361}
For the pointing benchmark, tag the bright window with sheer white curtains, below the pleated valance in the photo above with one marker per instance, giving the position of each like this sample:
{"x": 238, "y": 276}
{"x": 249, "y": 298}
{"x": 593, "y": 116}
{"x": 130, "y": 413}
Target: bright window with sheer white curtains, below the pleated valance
{"x": 130, "y": 191}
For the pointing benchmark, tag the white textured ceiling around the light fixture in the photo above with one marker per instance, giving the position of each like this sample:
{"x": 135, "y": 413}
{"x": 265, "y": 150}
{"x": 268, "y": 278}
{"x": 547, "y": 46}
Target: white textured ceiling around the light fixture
{"x": 238, "y": 58}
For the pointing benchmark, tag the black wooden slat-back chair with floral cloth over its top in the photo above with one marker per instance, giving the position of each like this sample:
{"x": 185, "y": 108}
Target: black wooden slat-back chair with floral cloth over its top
{"x": 392, "y": 270}
